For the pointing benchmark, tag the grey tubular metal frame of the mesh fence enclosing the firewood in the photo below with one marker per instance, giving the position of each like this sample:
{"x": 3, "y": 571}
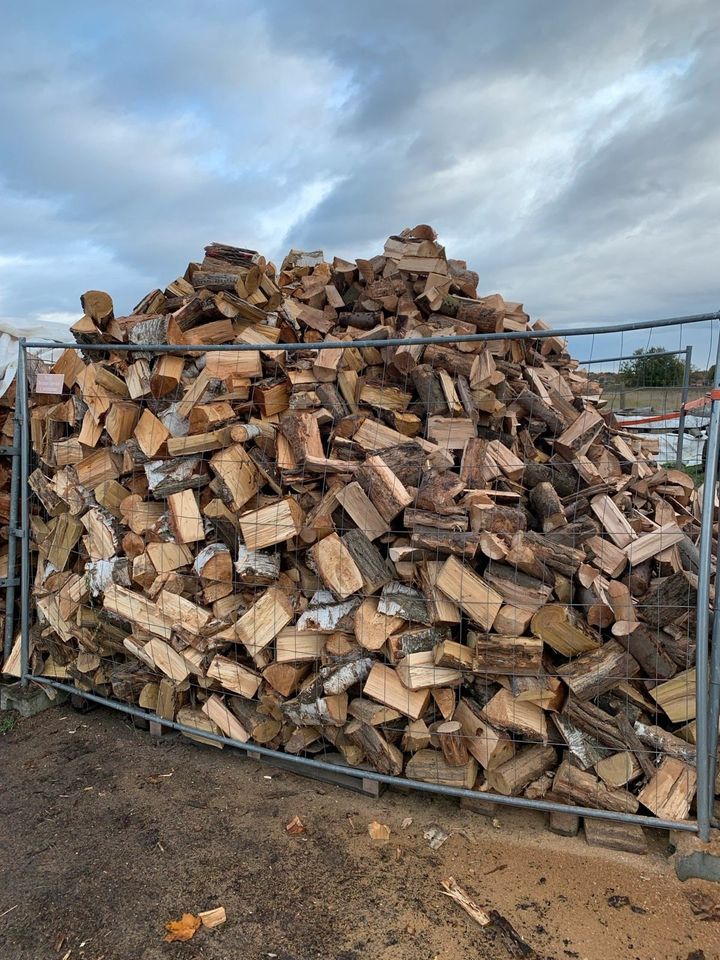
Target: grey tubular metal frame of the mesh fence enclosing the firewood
{"x": 706, "y": 707}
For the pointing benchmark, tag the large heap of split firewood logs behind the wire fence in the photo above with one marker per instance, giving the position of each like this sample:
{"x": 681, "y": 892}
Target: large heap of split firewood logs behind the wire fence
{"x": 441, "y": 561}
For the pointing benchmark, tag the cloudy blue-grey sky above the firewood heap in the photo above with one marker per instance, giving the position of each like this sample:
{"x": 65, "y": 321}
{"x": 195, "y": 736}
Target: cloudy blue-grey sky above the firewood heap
{"x": 568, "y": 150}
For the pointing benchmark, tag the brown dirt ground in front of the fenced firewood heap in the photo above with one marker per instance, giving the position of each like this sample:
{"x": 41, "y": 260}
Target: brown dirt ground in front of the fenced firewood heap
{"x": 106, "y": 834}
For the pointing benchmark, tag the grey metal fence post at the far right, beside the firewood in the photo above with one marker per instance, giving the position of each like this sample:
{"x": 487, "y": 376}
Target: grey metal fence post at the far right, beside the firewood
{"x": 704, "y": 760}
